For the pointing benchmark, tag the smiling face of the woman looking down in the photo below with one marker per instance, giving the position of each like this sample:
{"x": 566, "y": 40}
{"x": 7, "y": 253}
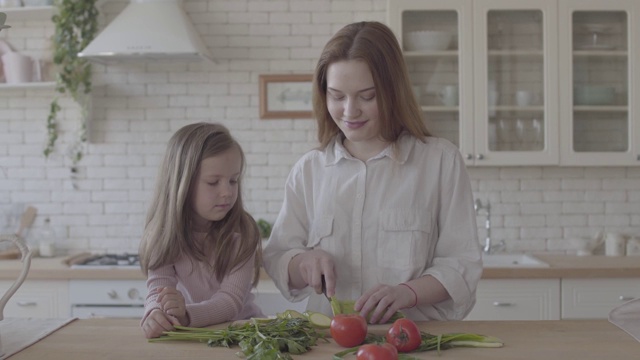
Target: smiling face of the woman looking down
{"x": 351, "y": 100}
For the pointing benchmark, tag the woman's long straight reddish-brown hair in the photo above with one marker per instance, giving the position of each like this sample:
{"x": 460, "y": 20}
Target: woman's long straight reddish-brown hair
{"x": 375, "y": 44}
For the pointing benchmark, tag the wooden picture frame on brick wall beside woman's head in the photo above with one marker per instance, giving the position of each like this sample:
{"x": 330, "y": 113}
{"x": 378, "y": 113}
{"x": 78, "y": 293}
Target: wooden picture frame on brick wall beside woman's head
{"x": 286, "y": 96}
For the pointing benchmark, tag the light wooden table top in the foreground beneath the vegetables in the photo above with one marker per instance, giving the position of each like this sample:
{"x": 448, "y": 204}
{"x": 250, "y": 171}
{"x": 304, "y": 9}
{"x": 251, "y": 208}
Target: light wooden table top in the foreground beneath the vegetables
{"x": 544, "y": 340}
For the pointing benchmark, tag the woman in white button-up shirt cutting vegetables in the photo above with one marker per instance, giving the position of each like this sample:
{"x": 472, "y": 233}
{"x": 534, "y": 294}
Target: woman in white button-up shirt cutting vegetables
{"x": 382, "y": 210}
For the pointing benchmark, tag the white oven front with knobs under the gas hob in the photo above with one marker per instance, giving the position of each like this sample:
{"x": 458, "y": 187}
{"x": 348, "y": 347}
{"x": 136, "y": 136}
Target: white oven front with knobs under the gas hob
{"x": 107, "y": 298}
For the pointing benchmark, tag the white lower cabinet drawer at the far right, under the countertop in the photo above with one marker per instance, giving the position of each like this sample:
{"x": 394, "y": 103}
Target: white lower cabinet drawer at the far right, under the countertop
{"x": 595, "y": 298}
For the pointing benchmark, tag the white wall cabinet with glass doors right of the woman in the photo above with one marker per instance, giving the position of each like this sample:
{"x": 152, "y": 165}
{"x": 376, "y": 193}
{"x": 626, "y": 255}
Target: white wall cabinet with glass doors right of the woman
{"x": 516, "y": 64}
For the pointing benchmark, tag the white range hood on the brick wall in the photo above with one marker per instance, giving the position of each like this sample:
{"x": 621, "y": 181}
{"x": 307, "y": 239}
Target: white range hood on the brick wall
{"x": 148, "y": 30}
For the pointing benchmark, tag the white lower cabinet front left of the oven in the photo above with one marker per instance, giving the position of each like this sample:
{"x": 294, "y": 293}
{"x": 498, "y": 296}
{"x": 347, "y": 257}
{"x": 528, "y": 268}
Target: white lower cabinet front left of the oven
{"x": 38, "y": 299}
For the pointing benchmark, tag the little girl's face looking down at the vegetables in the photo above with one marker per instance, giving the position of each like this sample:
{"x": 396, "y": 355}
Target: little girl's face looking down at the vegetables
{"x": 215, "y": 188}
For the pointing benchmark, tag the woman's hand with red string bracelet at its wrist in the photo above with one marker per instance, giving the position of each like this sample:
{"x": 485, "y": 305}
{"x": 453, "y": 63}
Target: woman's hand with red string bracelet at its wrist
{"x": 384, "y": 300}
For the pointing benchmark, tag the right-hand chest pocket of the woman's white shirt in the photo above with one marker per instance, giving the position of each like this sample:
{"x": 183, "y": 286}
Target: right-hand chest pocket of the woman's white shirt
{"x": 404, "y": 238}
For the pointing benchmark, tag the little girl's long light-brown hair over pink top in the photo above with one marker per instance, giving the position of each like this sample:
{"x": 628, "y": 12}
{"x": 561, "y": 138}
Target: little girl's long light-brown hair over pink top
{"x": 168, "y": 234}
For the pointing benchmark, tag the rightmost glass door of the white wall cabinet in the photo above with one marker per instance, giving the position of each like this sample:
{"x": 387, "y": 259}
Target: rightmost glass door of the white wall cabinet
{"x": 599, "y": 46}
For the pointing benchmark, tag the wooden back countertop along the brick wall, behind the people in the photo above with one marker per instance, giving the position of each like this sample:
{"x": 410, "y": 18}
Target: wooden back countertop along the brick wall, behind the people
{"x": 560, "y": 266}
